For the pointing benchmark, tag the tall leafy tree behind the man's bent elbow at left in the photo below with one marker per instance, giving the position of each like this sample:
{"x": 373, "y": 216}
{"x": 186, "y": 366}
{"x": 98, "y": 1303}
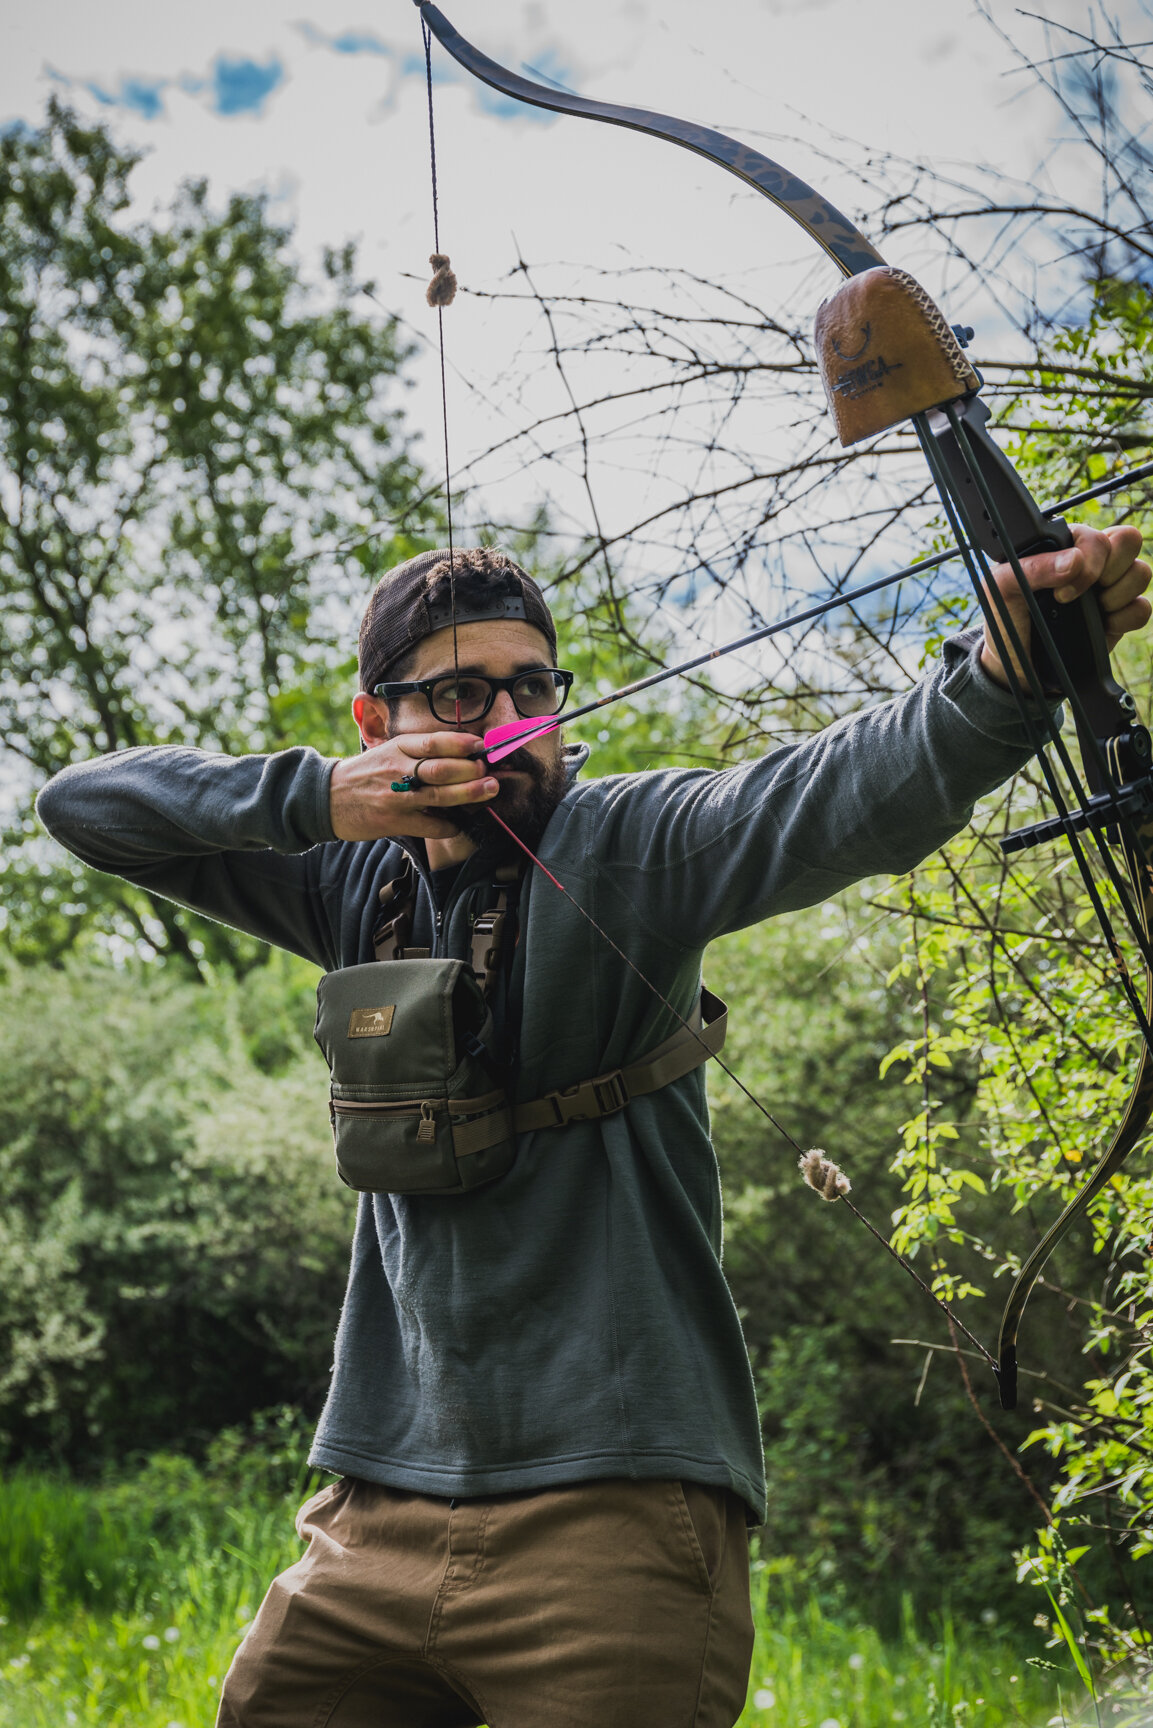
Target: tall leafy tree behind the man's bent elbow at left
{"x": 201, "y": 469}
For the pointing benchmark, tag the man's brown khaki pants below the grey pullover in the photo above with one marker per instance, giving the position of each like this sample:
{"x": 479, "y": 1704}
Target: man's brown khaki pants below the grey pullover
{"x": 609, "y": 1604}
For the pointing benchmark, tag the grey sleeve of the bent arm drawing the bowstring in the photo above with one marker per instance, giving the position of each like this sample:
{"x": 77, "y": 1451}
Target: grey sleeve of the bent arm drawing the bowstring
{"x": 234, "y": 837}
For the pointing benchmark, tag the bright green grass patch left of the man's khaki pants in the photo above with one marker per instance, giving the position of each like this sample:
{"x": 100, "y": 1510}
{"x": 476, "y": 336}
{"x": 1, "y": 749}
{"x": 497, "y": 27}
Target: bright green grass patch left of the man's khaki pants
{"x": 125, "y": 1599}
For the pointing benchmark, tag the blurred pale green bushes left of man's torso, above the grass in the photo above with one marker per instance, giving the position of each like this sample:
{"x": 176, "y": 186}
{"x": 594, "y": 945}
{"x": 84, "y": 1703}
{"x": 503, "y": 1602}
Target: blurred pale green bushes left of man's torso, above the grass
{"x": 174, "y": 1240}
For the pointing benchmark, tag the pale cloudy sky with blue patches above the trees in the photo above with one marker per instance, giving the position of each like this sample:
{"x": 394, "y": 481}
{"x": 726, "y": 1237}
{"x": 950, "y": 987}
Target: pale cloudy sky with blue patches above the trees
{"x": 322, "y": 108}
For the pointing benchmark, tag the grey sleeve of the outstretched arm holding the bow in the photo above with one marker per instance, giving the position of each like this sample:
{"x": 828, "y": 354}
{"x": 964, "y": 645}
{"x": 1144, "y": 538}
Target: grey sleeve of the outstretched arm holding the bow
{"x": 698, "y": 854}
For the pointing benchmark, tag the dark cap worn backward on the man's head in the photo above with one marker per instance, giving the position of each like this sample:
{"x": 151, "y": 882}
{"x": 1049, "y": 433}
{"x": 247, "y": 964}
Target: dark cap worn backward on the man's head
{"x": 402, "y": 611}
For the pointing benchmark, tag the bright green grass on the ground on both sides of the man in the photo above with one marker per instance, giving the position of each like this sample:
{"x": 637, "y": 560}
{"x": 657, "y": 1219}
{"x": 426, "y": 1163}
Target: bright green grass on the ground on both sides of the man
{"x": 124, "y": 1603}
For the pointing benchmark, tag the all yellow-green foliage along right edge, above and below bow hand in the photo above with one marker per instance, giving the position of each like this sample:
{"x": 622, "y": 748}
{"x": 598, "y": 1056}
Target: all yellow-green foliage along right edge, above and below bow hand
{"x": 1021, "y": 1069}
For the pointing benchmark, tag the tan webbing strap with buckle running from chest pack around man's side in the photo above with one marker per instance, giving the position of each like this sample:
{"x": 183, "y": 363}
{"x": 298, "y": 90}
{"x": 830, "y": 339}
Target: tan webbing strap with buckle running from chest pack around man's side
{"x": 602, "y": 1096}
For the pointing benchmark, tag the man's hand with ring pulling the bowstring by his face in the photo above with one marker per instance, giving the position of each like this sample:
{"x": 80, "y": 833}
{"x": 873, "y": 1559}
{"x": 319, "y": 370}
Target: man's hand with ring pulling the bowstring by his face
{"x": 364, "y": 806}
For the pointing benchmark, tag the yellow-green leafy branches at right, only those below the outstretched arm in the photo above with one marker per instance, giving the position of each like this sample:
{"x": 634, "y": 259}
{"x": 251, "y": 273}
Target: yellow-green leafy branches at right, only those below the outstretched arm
{"x": 1021, "y": 1000}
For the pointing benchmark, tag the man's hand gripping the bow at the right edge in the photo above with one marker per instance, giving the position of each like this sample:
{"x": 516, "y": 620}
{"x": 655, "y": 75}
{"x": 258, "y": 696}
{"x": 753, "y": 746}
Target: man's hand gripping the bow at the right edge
{"x": 1102, "y": 561}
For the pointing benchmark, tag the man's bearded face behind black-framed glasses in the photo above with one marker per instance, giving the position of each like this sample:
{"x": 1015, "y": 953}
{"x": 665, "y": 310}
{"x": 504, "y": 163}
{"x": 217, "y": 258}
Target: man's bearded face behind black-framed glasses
{"x": 533, "y": 778}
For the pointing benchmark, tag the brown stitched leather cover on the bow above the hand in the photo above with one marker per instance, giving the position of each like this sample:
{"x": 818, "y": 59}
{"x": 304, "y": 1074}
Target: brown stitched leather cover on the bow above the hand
{"x": 886, "y": 353}
